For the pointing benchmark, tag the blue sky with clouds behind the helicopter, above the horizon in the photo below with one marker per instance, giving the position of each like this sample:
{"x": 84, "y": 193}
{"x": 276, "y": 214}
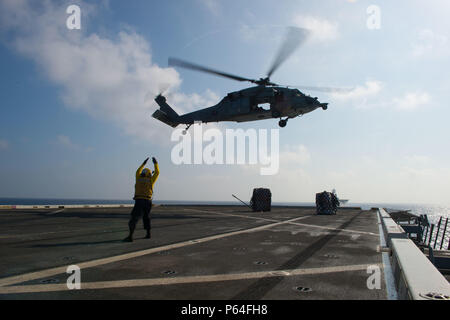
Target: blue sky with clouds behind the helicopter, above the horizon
{"x": 76, "y": 104}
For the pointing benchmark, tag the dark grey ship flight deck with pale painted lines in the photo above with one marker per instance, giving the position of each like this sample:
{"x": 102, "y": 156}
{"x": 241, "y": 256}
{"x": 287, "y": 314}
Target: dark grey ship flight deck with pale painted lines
{"x": 254, "y": 256}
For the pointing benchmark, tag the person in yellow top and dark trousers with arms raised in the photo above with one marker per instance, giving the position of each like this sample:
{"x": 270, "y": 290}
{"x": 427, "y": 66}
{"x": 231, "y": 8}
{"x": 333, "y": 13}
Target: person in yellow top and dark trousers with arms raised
{"x": 143, "y": 193}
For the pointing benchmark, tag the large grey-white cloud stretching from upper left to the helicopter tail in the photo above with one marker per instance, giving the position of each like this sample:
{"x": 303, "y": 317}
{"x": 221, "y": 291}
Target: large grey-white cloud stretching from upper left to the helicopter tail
{"x": 112, "y": 79}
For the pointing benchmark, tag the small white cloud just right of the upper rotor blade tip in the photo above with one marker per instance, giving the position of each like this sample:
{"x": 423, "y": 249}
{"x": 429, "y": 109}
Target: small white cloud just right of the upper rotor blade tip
{"x": 321, "y": 29}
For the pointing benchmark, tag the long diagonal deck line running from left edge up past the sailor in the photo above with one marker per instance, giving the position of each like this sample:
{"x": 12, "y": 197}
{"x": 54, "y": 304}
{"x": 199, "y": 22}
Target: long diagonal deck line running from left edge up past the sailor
{"x": 97, "y": 262}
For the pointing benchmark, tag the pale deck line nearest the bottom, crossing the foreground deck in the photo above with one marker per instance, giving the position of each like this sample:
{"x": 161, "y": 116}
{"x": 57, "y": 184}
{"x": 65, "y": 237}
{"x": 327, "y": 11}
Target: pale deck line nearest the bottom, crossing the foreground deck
{"x": 182, "y": 280}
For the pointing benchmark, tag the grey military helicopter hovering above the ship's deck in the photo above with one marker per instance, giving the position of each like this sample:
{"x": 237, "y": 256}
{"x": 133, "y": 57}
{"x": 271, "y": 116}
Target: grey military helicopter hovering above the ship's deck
{"x": 248, "y": 104}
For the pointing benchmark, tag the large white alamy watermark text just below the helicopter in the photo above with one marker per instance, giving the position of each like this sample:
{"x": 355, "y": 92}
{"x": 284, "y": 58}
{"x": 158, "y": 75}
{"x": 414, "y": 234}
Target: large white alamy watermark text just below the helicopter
{"x": 236, "y": 146}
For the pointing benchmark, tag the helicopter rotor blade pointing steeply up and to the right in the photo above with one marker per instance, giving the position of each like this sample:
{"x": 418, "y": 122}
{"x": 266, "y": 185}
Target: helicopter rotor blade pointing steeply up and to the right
{"x": 294, "y": 38}
